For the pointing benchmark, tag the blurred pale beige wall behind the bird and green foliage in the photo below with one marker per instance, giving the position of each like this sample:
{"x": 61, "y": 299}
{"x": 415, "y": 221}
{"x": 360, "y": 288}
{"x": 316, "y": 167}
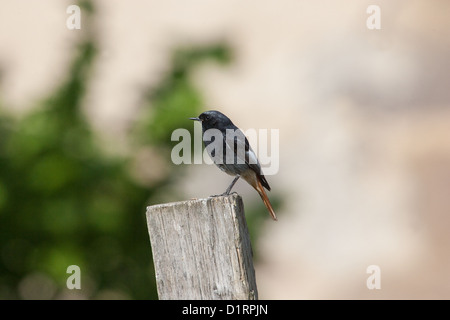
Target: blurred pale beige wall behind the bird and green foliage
{"x": 363, "y": 116}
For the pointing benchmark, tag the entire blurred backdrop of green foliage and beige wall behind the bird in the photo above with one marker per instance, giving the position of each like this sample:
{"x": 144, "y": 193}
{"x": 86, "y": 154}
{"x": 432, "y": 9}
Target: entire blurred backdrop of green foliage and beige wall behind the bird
{"x": 364, "y": 119}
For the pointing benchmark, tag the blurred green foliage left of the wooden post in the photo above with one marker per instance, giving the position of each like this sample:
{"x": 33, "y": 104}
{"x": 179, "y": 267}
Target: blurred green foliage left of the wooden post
{"x": 63, "y": 201}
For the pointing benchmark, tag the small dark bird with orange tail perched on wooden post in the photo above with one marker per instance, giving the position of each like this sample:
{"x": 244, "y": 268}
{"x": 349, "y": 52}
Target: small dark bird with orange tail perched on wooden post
{"x": 232, "y": 153}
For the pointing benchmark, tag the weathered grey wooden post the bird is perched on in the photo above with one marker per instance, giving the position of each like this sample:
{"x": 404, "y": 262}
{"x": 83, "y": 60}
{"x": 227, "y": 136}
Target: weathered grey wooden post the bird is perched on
{"x": 201, "y": 249}
